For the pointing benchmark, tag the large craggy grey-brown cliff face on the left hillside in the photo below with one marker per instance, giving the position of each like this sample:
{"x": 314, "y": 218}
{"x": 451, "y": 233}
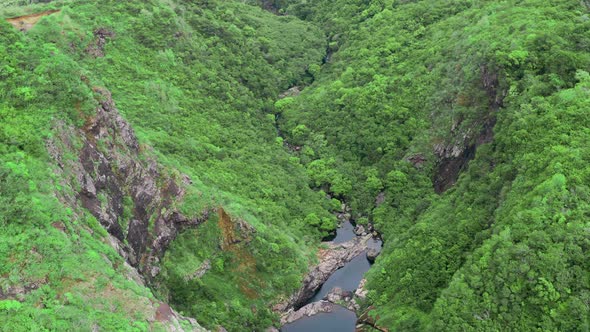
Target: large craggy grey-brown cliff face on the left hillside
{"x": 121, "y": 185}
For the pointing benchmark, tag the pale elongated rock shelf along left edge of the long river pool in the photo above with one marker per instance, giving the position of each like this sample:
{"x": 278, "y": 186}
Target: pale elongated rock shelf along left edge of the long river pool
{"x": 331, "y": 259}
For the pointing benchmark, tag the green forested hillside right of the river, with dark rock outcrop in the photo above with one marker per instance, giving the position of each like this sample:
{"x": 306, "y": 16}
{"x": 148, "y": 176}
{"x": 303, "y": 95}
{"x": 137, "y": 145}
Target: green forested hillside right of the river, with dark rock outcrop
{"x": 417, "y": 89}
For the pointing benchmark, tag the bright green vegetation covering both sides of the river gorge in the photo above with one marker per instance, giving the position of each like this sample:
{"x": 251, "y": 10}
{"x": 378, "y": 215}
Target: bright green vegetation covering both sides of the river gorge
{"x": 458, "y": 128}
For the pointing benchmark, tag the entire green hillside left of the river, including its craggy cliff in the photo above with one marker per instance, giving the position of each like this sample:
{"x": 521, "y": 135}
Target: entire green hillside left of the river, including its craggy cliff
{"x": 196, "y": 82}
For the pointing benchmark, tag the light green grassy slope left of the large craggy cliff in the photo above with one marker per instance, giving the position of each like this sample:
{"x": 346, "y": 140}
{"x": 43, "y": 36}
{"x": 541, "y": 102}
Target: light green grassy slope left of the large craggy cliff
{"x": 58, "y": 270}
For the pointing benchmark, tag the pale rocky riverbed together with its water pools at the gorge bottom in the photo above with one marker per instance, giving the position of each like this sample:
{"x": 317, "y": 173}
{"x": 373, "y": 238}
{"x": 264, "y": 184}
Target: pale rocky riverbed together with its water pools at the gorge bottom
{"x": 332, "y": 289}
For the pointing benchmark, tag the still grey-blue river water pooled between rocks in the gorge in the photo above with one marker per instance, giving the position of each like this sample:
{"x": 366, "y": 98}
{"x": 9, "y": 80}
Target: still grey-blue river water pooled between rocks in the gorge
{"x": 347, "y": 278}
